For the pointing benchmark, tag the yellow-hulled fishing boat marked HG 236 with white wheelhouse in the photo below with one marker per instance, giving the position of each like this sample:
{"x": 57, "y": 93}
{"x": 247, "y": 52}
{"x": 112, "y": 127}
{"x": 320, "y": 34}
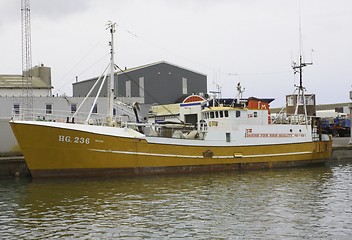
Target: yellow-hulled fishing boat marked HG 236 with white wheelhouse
{"x": 211, "y": 134}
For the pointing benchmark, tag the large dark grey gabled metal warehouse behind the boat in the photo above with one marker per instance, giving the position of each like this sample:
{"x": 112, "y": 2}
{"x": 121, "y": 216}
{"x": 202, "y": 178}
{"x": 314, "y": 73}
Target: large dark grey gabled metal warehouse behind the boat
{"x": 159, "y": 82}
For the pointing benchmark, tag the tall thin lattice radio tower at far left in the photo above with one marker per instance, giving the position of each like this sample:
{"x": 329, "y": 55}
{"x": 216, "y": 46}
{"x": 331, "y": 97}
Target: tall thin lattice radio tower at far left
{"x": 27, "y": 91}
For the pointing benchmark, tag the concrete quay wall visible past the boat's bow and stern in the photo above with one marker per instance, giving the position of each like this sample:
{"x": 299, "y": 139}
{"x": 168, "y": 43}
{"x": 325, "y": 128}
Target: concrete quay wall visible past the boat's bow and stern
{"x": 16, "y": 166}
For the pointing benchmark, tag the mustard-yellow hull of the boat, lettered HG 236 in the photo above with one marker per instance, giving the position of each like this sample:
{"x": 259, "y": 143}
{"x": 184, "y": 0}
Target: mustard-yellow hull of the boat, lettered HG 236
{"x": 51, "y": 151}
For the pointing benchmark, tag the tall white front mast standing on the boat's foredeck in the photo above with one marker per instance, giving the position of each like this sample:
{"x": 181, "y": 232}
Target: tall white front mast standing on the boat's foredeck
{"x": 110, "y": 83}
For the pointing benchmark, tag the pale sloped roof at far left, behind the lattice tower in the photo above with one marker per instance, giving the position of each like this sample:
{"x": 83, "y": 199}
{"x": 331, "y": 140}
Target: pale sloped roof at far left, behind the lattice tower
{"x": 17, "y": 81}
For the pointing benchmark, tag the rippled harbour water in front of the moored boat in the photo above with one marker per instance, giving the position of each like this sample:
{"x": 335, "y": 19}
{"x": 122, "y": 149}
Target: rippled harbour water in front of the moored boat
{"x": 297, "y": 203}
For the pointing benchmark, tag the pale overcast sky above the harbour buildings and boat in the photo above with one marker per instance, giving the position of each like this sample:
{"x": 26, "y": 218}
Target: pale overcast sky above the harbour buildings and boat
{"x": 249, "y": 41}
